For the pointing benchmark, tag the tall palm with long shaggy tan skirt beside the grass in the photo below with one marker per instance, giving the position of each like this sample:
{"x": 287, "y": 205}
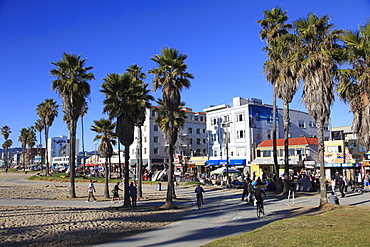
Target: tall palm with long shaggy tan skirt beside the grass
{"x": 319, "y": 48}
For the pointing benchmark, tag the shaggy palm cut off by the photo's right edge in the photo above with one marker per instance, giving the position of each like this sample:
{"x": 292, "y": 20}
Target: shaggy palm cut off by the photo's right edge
{"x": 354, "y": 85}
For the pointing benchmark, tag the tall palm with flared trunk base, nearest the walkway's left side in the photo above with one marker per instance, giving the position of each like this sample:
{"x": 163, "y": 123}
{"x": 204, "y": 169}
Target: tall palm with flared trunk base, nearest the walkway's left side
{"x": 171, "y": 77}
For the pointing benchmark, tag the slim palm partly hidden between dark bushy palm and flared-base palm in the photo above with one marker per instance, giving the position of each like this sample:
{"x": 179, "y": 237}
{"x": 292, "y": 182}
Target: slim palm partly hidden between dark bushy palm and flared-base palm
{"x": 138, "y": 75}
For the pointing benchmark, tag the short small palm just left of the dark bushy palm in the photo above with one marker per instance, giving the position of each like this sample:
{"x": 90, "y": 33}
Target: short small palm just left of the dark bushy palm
{"x": 105, "y": 130}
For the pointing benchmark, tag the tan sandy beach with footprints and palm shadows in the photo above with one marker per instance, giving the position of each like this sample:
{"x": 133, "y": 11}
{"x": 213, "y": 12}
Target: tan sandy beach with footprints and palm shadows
{"x": 46, "y": 226}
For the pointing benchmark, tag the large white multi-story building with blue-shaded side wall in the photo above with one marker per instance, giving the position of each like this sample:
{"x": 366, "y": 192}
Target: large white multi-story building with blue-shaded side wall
{"x": 249, "y": 122}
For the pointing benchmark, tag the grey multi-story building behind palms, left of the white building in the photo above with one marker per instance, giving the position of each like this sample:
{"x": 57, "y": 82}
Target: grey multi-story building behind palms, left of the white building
{"x": 191, "y": 141}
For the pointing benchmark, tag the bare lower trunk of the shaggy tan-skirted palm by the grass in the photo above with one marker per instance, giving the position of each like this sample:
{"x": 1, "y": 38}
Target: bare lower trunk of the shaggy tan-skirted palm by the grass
{"x": 320, "y": 135}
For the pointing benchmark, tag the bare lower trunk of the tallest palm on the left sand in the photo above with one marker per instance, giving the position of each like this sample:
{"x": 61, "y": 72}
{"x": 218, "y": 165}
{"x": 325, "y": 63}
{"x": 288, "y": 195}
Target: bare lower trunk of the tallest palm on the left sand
{"x": 72, "y": 155}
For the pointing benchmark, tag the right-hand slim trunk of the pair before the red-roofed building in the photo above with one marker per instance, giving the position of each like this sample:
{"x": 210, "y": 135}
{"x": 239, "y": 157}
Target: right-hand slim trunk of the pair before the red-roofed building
{"x": 286, "y": 147}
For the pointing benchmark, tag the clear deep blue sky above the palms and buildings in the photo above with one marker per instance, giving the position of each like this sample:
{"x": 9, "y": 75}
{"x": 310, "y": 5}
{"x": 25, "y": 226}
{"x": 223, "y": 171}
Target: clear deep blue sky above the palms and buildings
{"x": 220, "y": 37}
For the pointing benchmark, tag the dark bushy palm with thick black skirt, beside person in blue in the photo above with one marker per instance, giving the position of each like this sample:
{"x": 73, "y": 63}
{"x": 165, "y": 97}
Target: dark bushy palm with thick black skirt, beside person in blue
{"x": 125, "y": 98}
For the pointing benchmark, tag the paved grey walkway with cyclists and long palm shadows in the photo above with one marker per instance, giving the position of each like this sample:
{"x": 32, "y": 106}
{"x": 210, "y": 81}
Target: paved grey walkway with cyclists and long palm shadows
{"x": 223, "y": 214}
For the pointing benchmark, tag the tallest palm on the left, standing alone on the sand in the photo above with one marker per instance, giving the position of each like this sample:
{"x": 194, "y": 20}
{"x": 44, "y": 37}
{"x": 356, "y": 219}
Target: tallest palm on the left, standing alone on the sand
{"x": 72, "y": 84}
